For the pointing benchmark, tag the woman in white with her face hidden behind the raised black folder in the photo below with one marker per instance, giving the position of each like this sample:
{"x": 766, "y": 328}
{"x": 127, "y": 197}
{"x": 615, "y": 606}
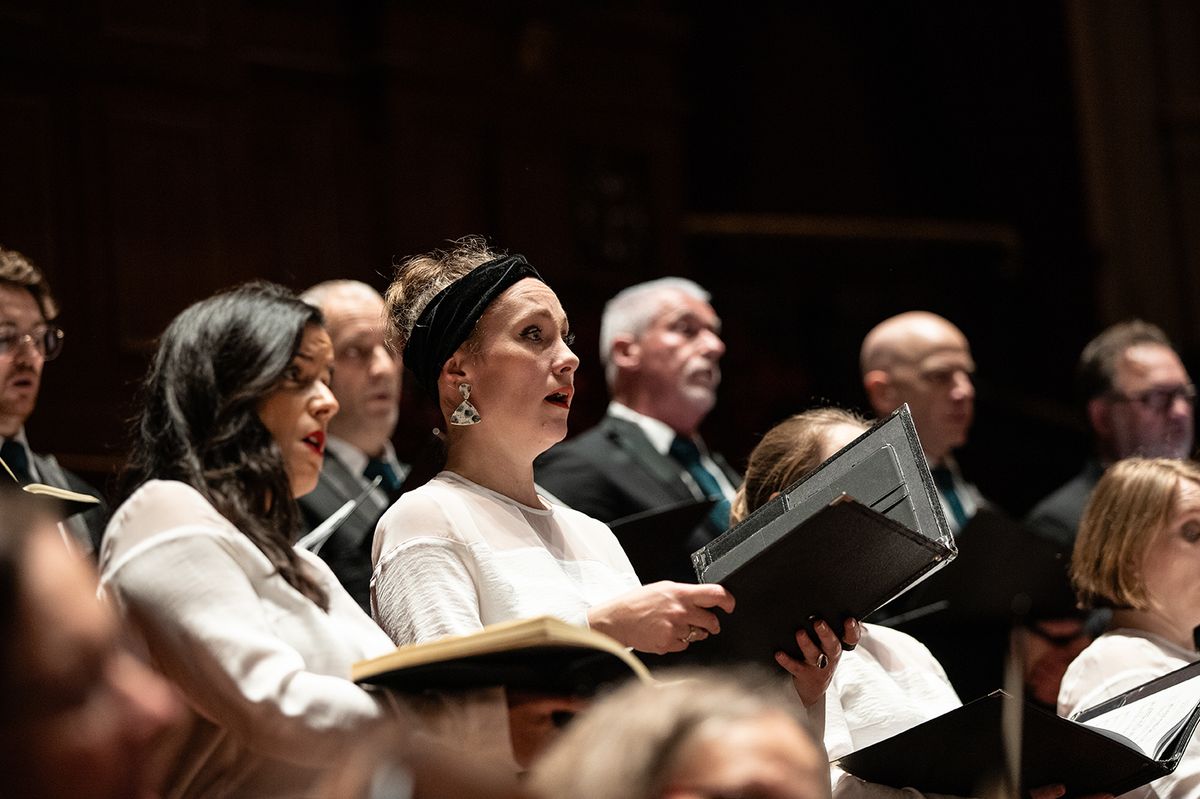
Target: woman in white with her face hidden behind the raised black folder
{"x": 891, "y": 682}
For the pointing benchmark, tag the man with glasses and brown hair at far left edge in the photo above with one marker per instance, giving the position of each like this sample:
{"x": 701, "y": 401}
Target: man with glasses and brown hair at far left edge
{"x": 28, "y": 339}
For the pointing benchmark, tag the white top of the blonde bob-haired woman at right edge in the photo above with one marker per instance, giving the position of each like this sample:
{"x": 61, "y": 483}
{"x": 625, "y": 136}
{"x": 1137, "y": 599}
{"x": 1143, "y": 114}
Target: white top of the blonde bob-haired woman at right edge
{"x": 1121, "y": 660}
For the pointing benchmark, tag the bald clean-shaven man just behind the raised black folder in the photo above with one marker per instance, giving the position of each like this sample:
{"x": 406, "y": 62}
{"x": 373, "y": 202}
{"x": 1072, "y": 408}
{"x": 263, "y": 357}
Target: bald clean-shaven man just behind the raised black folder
{"x": 922, "y": 359}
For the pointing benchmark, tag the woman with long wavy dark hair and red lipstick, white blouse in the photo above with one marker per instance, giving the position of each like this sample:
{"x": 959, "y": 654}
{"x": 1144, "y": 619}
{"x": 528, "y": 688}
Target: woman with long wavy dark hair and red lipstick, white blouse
{"x": 257, "y": 636}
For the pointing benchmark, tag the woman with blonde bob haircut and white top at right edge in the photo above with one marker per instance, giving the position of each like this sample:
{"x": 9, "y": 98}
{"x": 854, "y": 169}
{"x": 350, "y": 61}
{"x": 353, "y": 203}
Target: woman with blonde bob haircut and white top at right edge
{"x": 1138, "y": 552}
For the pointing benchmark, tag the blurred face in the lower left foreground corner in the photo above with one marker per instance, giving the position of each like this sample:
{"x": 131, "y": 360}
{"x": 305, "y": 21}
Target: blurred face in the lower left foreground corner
{"x": 80, "y": 717}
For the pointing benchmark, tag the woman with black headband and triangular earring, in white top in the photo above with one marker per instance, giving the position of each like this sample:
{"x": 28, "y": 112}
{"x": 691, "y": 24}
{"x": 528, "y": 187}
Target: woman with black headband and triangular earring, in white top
{"x": 489, "y": 341}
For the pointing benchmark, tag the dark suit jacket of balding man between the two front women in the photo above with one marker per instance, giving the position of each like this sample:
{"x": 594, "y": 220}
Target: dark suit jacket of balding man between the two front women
{"x": 349, "y": 550}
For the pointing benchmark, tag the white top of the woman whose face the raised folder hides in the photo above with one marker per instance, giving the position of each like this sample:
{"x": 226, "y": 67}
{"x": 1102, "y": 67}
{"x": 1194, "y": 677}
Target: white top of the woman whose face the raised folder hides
{"x": 890, "y": 683}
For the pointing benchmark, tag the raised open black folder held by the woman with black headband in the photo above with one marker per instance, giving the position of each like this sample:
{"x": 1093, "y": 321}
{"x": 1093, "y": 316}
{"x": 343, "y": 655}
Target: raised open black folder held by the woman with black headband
{"x": 860, "y": 531}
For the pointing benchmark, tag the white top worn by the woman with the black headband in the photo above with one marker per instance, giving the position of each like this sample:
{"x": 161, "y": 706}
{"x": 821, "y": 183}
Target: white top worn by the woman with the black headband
{"x": 452, "y": 557}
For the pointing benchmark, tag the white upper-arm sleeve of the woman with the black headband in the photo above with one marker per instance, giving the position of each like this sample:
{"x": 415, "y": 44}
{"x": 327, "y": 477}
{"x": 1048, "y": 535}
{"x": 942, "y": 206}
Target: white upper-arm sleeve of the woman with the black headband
{"x": 423, "y": 590}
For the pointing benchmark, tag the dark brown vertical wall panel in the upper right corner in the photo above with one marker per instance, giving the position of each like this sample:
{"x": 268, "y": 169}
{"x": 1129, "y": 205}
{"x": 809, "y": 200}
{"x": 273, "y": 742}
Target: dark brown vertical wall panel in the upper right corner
{"x": 1138, "y": 94}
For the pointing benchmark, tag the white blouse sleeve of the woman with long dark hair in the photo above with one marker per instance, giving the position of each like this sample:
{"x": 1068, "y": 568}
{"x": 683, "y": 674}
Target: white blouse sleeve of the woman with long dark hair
{"x": 202, "y": 618}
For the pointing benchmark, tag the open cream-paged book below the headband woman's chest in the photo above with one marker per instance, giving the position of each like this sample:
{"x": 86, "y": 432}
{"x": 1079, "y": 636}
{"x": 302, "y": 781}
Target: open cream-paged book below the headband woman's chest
{"x": 538, "y": 654}
